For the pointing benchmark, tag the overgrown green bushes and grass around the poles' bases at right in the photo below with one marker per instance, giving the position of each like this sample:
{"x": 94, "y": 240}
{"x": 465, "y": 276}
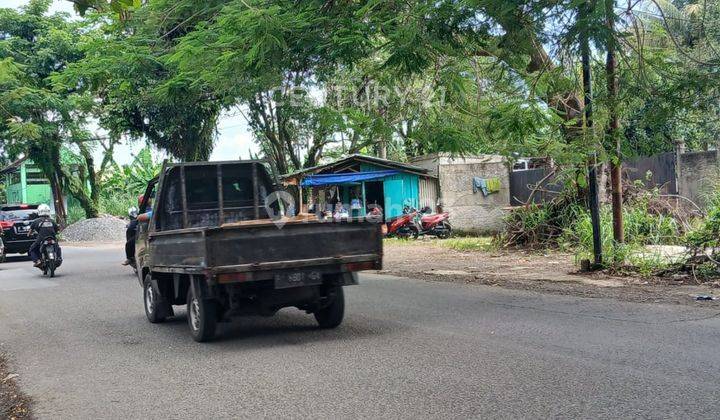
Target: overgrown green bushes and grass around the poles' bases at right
{"x": 650, "y": 219}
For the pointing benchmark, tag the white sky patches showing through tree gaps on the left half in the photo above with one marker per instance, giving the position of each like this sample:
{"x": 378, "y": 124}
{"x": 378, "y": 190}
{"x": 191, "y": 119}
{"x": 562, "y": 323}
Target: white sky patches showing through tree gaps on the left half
{"x": 234, "y": 139}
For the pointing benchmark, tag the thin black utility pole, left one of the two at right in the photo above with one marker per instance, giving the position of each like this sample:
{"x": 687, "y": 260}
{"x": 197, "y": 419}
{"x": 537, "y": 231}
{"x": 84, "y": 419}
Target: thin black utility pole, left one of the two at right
{"x": 593, "y": 199}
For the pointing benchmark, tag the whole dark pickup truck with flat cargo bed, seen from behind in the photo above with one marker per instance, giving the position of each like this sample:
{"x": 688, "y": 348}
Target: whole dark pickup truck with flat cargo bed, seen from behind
{"x": 217, "y": 241}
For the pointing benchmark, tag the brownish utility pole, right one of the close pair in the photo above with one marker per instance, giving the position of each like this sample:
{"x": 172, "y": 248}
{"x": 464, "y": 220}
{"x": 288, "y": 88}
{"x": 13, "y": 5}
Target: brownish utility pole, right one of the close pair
{"x": 614, "y": 126}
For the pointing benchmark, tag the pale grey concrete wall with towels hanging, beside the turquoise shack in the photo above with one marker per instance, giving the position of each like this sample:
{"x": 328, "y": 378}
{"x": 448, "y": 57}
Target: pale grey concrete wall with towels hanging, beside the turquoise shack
{"x": 470, "y": 212}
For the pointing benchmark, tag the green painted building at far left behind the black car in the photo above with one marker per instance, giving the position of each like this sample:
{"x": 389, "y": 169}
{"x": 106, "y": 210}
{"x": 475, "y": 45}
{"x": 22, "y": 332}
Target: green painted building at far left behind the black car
{"x": 25, "y": 183}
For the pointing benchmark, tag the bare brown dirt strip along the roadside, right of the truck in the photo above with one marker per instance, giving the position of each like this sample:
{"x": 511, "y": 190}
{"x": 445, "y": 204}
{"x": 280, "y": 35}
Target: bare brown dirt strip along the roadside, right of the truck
{"x": 549, "y": 272}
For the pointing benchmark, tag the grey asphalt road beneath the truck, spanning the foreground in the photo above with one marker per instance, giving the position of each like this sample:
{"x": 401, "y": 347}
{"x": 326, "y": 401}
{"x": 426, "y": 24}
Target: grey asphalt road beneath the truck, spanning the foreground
{"x": 407, "y": 349}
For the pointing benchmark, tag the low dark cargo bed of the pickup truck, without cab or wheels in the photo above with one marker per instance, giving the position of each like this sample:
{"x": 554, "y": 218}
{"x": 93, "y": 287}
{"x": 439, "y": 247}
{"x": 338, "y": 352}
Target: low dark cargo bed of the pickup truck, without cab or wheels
{"x": 255, "y": 246}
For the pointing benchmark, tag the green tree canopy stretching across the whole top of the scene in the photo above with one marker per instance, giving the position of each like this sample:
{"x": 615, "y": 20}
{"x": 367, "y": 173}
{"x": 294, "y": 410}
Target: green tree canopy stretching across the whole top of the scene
{"x": 317, "y": 79}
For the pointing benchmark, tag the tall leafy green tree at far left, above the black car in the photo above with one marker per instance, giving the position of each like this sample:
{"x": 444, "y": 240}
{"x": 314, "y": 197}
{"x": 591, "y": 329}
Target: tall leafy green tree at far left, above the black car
{"x": 37, "y": 120}
